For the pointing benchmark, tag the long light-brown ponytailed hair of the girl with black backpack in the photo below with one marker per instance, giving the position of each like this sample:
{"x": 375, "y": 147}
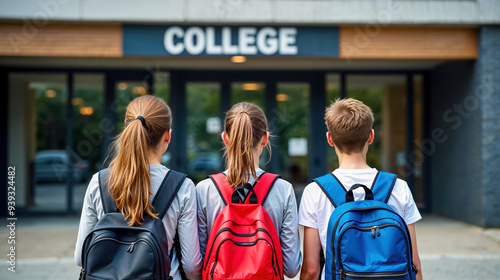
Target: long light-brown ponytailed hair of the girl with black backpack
{"x": 129, "y": 177}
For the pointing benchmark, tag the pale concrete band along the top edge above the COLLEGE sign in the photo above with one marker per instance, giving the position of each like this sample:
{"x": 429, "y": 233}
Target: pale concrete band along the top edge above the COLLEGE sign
{"x": 255, "y": 11}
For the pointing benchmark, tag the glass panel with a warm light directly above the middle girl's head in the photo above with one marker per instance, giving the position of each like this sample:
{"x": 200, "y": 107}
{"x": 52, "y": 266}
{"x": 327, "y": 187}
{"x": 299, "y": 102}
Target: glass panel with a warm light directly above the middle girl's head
{"x": 252, "y": 92}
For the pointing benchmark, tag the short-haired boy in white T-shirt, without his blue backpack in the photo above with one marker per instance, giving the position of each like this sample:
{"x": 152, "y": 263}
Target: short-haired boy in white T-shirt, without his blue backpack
{"x": 350, "y": 132}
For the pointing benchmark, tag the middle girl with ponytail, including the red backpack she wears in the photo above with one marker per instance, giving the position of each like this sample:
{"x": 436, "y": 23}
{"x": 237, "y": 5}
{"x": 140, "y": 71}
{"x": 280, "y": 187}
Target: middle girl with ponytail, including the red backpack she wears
{"x": 245, "y": 135}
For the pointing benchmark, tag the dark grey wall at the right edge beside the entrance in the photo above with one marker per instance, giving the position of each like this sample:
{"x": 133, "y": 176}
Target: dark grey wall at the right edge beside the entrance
{"x": 465, "y": 161}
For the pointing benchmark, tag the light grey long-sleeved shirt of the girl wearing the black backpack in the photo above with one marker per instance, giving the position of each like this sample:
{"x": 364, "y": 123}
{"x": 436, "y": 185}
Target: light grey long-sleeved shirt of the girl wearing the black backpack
{"x": 181, "y": 216}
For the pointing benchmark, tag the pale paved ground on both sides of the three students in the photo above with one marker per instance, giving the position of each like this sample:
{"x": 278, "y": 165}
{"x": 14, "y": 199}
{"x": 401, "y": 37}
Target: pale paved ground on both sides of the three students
{"x": 449, "y": 249}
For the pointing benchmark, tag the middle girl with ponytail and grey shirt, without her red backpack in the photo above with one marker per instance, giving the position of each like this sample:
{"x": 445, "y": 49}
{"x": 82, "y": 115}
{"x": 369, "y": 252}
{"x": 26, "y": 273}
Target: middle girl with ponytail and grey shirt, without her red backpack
{"x": 245, "y": 135}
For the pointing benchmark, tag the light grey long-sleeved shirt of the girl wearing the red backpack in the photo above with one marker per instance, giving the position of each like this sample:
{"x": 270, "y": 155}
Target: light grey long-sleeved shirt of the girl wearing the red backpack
{"x": 281, "y": 206}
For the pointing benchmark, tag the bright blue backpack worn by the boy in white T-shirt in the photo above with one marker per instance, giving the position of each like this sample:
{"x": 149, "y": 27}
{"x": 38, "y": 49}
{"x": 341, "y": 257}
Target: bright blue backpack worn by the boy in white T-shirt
{"x": 366, "y": 239}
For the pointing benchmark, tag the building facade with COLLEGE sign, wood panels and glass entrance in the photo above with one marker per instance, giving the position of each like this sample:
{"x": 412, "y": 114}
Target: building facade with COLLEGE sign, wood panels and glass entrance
{"x": 430, "y": 70}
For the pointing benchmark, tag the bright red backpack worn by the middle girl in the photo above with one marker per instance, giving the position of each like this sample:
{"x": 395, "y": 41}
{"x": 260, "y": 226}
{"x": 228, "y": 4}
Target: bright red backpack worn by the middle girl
{"x": 243, "y": 243}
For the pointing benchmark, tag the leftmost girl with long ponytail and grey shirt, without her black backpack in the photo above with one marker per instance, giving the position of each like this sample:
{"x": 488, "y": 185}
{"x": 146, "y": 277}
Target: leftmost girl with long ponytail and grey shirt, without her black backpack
{"x": 135, "y": 175}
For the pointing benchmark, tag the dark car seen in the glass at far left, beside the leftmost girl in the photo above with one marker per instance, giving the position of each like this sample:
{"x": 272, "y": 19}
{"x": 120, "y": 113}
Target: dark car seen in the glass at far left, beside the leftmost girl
{"x": 52, "y": 165}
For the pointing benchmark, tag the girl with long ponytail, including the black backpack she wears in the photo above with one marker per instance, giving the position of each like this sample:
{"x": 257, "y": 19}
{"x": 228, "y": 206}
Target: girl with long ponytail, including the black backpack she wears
{"x": 135, "y": 187}
